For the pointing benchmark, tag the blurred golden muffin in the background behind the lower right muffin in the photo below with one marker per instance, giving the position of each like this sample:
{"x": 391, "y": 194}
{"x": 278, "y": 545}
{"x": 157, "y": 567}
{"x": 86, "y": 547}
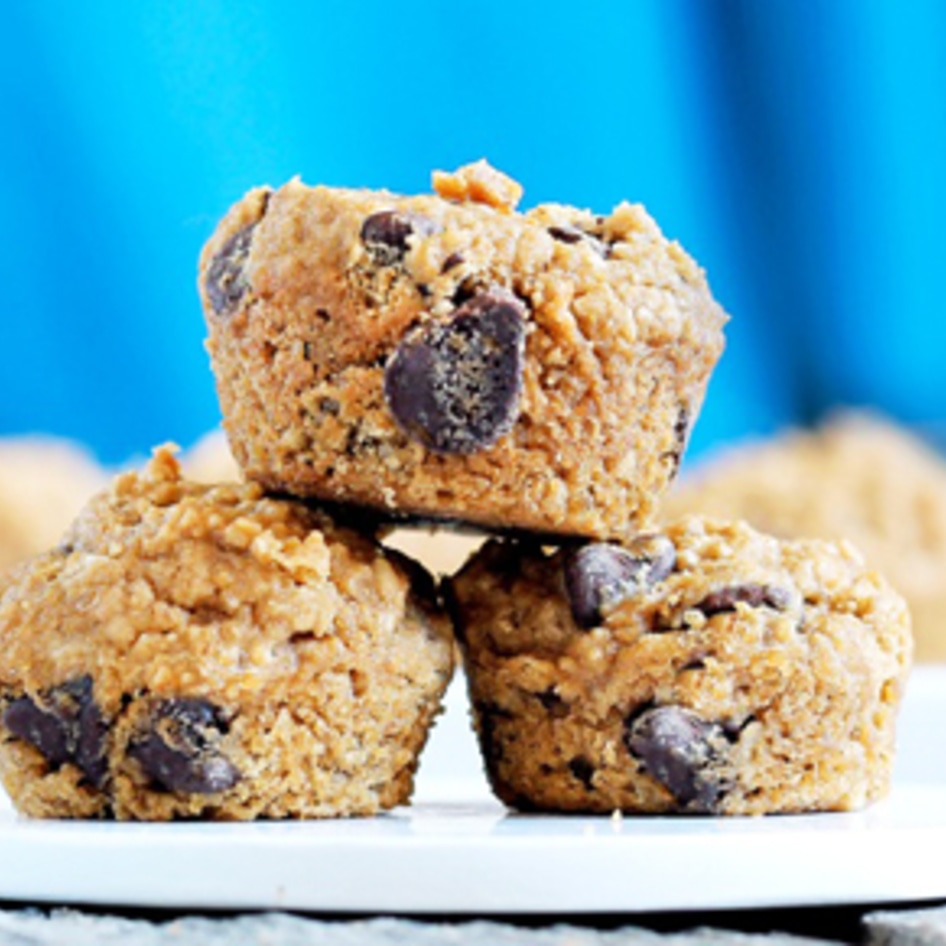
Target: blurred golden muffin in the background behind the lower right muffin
{"x": 859, "y": 477}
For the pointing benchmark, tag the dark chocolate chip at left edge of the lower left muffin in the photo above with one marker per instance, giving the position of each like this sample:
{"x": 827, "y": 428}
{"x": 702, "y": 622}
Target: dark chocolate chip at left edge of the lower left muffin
{"x": 65, "y": 726}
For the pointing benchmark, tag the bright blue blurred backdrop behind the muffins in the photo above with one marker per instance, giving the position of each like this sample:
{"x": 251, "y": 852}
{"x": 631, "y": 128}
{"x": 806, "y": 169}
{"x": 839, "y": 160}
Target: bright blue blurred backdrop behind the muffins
{"x": 796, "y": 149}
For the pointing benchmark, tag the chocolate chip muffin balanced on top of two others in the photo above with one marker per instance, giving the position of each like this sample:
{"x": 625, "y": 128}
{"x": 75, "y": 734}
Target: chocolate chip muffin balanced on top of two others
{"x": 446, "y": 356}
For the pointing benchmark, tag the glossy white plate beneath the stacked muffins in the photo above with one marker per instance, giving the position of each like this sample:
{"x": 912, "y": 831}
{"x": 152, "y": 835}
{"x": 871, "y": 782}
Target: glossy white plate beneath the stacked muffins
{"x": 458, "y": 851}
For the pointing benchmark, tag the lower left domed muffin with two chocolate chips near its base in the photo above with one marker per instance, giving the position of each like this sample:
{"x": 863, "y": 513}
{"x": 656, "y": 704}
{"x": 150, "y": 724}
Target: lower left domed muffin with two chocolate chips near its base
{"x": 207, "y": 652}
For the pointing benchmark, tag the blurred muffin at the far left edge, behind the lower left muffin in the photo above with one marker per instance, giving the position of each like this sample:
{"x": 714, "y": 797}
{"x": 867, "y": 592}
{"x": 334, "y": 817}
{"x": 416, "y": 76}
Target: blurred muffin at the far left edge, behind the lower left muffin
{"x": 44, "y": 482}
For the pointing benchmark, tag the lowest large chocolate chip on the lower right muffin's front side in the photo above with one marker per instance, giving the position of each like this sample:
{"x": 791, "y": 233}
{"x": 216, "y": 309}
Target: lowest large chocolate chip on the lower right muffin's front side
{"x": 681, "y": 751}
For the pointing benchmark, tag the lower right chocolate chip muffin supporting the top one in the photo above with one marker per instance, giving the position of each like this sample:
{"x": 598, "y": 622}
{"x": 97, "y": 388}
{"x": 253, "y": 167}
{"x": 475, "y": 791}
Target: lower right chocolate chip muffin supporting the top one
{"x": 705, "y": 669}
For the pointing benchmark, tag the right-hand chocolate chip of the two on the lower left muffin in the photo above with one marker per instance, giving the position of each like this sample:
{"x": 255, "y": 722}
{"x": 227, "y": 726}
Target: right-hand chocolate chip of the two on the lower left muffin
{"x": 179, "y": 753}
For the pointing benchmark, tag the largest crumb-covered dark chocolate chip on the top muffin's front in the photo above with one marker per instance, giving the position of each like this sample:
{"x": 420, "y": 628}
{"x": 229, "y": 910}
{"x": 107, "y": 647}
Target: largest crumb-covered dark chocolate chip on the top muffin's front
{"x": 455, "y": 387}
